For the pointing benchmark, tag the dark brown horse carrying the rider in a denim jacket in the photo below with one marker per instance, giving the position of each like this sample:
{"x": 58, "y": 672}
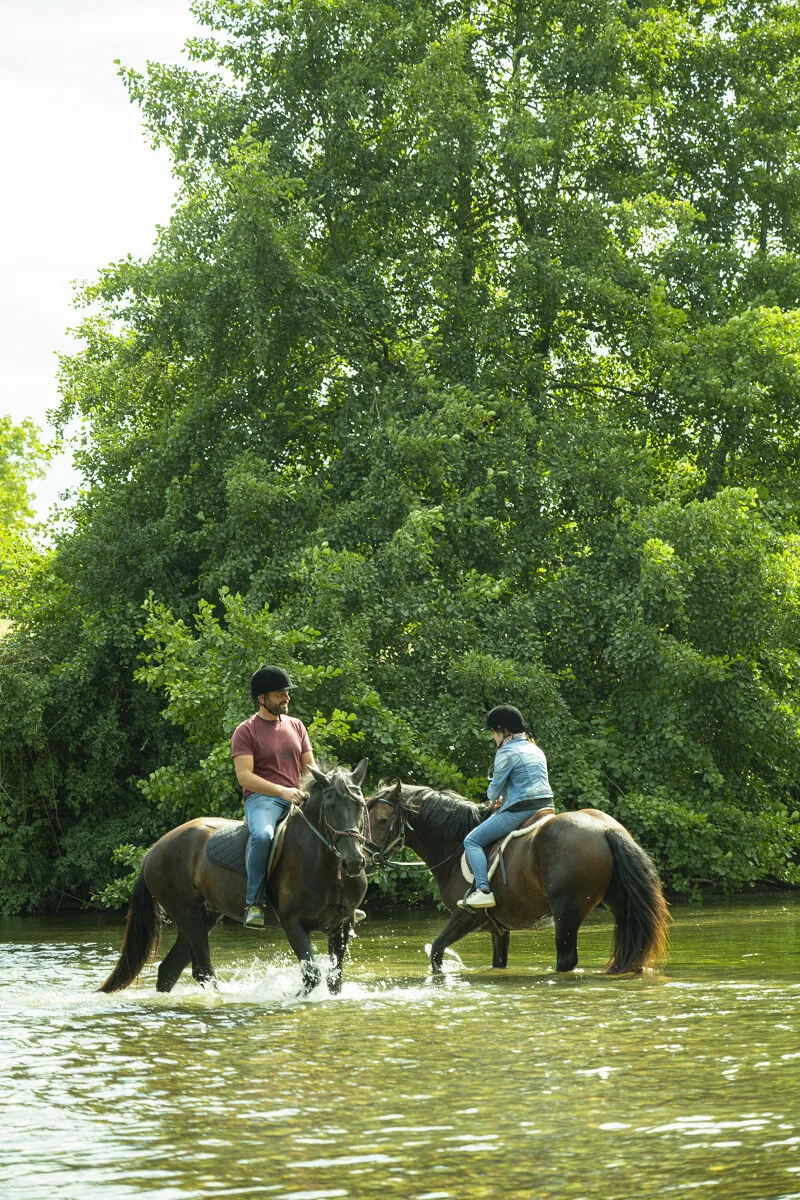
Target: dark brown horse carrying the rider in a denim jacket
{"x": 567, "y": 868}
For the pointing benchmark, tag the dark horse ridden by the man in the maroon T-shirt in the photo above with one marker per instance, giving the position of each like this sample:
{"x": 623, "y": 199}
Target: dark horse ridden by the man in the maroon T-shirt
{"x": 317, "y": 885}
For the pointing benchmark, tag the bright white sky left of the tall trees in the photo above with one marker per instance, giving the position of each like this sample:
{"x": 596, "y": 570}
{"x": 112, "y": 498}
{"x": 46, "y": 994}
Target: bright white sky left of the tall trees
{"x": 80, "y": 185}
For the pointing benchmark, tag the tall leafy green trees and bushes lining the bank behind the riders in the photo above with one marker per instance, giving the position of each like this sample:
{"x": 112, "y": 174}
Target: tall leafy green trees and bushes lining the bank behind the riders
{"x": 467, "y": 370}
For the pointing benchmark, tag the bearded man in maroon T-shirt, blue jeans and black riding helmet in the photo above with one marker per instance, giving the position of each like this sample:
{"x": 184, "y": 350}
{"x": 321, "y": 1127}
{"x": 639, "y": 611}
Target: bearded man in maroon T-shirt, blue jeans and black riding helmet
{"x": 270, "y": 752}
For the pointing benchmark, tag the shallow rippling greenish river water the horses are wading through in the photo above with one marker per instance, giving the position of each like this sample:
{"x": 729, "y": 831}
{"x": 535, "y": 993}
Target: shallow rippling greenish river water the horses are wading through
{"x": 488, "y": 1084}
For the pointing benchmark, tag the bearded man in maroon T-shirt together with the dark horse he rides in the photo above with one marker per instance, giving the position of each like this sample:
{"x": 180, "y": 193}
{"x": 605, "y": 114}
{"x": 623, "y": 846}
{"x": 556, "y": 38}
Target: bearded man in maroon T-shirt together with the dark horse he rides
{"x": 316, "y": 886}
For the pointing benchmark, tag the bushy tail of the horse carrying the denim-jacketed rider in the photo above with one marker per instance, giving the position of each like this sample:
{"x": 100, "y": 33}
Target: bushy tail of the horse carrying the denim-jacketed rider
{"x": 642, "y": 931}
